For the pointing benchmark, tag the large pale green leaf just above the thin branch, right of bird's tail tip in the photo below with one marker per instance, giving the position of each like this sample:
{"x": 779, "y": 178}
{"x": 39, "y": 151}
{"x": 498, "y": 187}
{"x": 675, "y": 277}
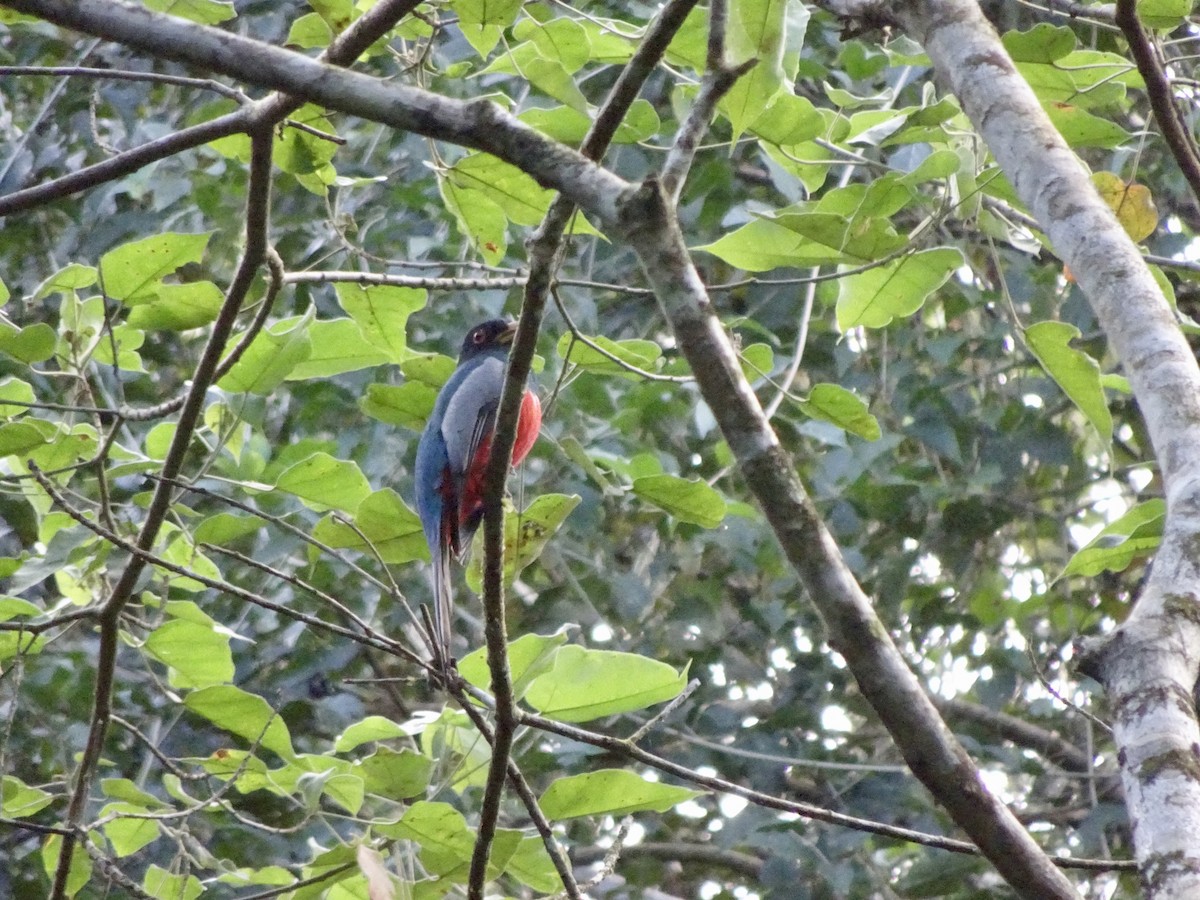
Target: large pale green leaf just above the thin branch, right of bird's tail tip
{"x": 592, "y": 685}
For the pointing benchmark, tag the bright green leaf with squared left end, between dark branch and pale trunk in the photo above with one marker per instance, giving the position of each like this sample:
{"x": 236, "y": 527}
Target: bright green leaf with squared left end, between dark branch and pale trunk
{"x": 899, "y": 289}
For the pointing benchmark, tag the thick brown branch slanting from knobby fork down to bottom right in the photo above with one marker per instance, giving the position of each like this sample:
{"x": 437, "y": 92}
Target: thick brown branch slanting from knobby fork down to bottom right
{"x": 855, "y": 631}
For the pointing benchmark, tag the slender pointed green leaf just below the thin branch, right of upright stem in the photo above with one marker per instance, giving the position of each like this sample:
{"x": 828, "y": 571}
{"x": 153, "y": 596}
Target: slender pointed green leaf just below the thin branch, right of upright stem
{"x": 610, "y": 793}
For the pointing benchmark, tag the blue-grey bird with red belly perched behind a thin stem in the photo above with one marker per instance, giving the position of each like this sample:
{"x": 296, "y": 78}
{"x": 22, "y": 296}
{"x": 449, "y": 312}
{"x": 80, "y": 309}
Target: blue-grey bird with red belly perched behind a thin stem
{"x": 453, "y": 457}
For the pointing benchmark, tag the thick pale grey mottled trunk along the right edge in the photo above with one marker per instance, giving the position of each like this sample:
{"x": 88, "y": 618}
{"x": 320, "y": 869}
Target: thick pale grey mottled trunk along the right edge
{"x": 1150, "y": 665}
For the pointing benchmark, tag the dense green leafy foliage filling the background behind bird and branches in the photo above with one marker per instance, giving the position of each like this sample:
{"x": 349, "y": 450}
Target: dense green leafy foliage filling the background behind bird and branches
{"x": 961, "y": 501}
